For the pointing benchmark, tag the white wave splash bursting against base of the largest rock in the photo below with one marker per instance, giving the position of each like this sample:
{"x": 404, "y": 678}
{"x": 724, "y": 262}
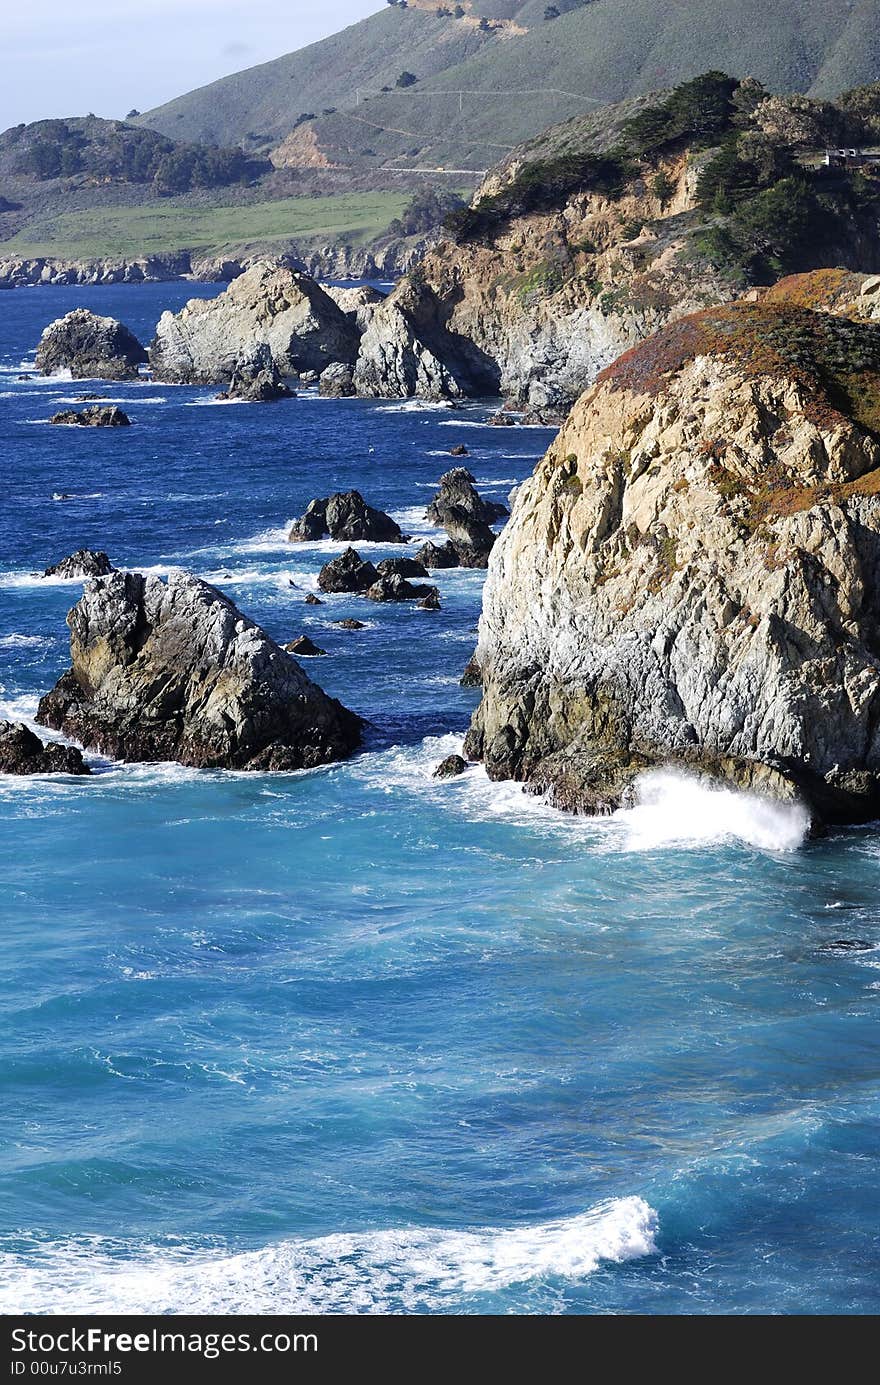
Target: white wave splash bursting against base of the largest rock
{"x": 681, "y": 810}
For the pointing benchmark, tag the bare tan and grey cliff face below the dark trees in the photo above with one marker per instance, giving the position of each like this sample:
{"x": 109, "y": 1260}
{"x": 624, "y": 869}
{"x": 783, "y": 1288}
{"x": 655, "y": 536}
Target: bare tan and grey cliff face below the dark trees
{"x": 537, "y": 312}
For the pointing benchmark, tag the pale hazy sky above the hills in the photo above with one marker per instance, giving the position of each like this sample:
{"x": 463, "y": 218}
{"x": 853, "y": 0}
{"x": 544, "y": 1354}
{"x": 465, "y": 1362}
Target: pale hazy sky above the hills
{"x": 69, "y": 57}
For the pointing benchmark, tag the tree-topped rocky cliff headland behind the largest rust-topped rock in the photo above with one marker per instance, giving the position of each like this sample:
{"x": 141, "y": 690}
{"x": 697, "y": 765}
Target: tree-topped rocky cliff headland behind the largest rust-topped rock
{"x": 592, "y": 238}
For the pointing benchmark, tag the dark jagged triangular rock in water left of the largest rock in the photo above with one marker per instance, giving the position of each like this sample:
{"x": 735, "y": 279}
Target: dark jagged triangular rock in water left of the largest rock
{"x": 173, "y": 671}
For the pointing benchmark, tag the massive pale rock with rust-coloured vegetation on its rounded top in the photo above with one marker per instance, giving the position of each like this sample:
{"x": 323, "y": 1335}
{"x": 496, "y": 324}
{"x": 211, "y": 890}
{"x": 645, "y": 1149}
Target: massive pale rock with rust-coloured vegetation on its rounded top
{"x": 692, "y": 575}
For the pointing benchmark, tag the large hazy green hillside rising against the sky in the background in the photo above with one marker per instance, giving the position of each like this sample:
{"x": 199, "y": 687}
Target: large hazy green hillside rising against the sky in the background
{"x": 516, "y": 80}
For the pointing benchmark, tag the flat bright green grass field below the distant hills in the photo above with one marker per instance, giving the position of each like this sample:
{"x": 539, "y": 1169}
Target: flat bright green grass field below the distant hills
{"x": 128, "y": 232}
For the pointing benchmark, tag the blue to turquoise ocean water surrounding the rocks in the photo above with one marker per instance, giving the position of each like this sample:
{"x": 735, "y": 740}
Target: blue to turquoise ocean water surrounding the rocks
{"x": 358, "y": 1041}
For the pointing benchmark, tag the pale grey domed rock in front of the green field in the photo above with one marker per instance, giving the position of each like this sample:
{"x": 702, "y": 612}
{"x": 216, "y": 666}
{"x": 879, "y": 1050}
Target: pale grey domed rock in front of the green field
{"x": 271, "y": 307}
